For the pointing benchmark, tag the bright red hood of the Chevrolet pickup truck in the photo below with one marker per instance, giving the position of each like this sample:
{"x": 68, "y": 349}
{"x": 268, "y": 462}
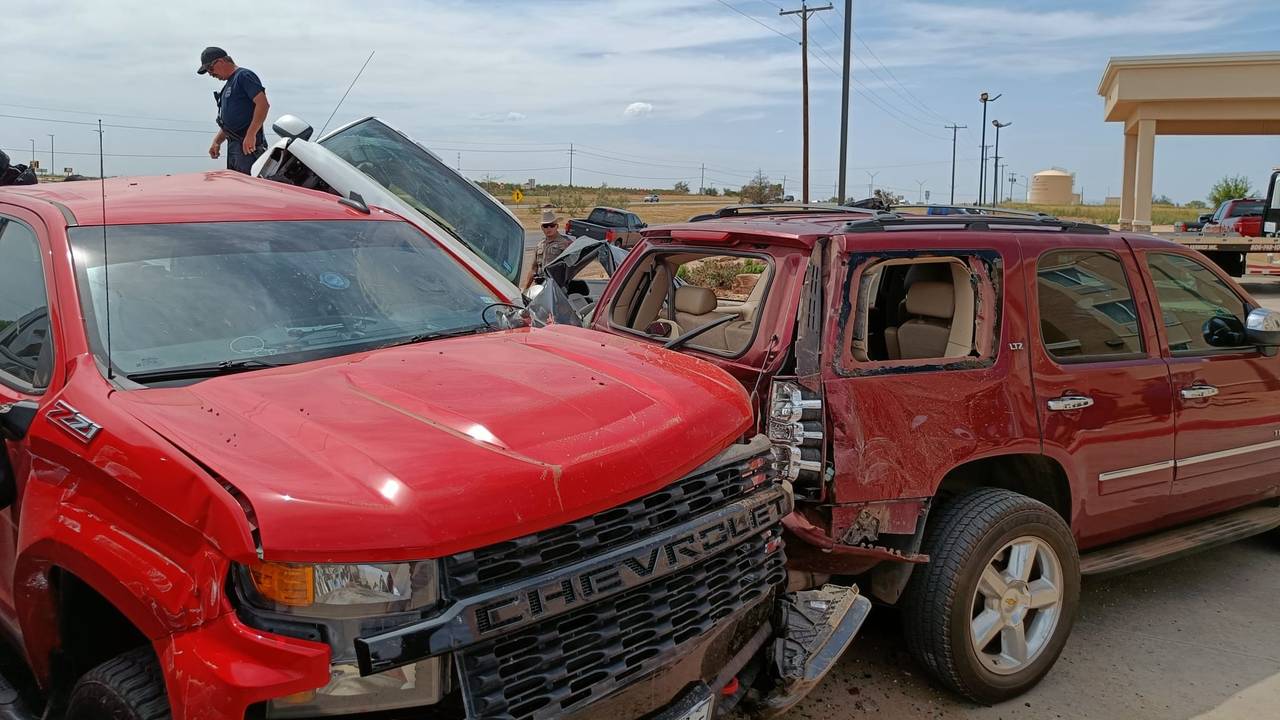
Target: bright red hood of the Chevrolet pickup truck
{"x": 435, "y": 449}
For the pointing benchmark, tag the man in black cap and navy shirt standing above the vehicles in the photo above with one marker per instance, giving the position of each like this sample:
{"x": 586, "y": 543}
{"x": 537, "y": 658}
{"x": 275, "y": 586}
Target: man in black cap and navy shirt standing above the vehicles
{"x": 243, "y": 110}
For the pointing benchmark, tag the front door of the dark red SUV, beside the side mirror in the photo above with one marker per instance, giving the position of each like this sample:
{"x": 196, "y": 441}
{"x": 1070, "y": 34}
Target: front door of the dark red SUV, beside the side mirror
{"x": 1226, "y": 398}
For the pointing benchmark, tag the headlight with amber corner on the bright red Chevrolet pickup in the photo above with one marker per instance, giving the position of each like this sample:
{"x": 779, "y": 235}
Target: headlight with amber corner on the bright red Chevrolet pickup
{"x": 337, "y": 604}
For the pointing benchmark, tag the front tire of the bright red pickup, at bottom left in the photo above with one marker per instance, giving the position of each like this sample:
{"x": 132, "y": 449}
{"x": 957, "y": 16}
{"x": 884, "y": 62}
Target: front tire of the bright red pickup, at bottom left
{"x": 129, "y": 687}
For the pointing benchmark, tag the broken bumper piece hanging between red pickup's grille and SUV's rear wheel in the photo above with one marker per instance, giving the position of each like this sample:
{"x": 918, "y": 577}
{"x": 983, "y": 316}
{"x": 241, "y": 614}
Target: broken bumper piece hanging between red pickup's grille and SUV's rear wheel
{"x": 816, "y": 630}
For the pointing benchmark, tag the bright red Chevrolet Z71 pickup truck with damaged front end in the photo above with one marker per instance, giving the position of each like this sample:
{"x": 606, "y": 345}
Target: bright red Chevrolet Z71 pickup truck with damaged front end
{"x": 268, "y": 454}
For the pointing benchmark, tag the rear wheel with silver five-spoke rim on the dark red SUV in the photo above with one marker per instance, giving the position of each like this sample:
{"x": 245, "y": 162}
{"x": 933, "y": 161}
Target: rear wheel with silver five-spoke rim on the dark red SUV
{"x": 991, "y": 612}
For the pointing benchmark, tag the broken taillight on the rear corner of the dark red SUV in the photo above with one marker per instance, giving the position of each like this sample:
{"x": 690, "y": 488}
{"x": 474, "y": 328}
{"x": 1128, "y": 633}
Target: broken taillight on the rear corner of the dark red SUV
{"x": 797, "y": 431}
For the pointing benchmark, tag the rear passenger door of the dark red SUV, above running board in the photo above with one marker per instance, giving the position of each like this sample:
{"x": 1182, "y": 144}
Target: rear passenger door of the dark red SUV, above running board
{"x": 1103, "y": 386}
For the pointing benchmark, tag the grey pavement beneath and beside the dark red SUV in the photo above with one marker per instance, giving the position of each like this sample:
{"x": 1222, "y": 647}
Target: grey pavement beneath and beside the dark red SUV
{"x": 1197, "y": 639}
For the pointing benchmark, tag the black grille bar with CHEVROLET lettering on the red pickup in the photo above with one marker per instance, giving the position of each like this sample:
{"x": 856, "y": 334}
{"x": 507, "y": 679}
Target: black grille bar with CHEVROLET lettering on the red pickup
{"x": 504, "y": 610}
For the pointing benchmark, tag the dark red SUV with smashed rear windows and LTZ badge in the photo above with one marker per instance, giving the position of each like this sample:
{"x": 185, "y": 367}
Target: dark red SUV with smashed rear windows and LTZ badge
{"x": 977, "y": 411}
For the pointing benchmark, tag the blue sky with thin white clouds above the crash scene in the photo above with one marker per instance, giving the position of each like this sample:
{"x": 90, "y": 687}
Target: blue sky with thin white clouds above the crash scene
{"x": 647, "y": 92}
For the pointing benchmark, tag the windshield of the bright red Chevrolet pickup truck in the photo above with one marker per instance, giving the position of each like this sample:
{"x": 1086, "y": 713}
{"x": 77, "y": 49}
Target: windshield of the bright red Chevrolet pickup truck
{"x": 267, "y": 293}
